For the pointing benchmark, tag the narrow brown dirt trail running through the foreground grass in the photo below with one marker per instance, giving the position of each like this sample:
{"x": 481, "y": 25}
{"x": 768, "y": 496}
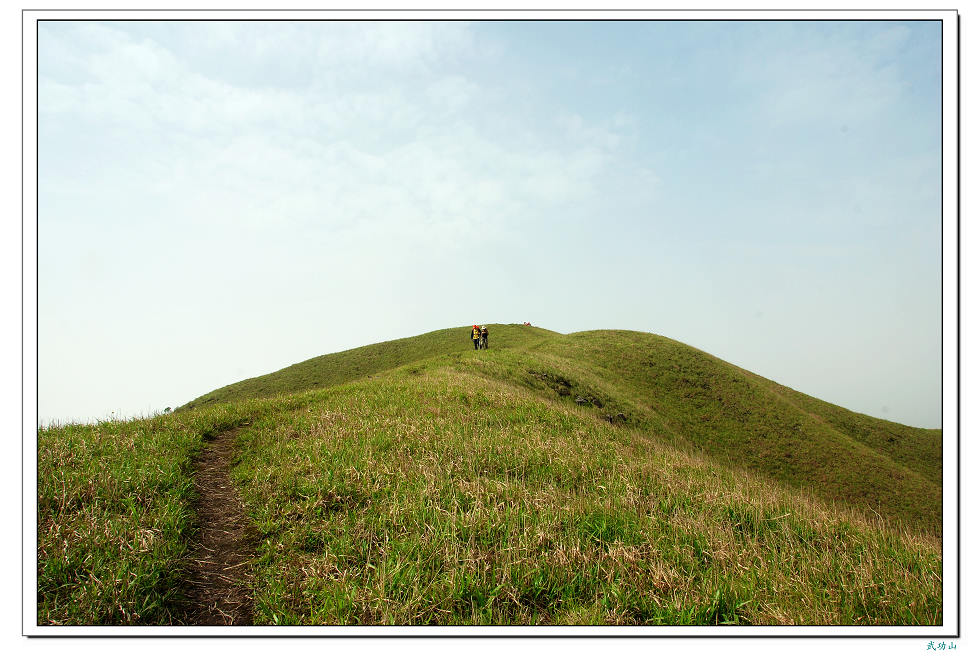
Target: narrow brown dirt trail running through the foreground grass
{"x": 217, "y": 581}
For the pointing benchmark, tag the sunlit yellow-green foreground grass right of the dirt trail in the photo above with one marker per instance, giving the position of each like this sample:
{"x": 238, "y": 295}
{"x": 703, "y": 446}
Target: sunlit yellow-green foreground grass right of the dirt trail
{"x": 445, "y": 499}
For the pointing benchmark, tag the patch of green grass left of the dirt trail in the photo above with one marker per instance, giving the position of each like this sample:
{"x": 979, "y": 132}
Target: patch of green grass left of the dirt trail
{"x": 115, "y": 513}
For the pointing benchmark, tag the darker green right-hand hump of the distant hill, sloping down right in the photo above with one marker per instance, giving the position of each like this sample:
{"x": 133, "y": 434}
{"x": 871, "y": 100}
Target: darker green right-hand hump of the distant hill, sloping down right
{"x": 747, "y": 421}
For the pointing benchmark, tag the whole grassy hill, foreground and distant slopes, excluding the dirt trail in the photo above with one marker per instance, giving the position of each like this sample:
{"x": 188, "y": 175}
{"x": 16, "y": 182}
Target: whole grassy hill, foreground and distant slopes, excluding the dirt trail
{"x": 607, "y": 477}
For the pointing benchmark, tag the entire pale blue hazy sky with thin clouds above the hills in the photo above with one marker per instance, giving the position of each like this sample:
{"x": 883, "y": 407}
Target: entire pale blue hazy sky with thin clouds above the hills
{"x": 218, "y": 200}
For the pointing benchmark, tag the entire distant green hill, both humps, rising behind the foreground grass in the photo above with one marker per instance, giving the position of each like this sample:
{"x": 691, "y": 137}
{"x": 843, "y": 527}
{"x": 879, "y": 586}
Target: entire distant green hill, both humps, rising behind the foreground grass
{"x": 674, "y": 392}
